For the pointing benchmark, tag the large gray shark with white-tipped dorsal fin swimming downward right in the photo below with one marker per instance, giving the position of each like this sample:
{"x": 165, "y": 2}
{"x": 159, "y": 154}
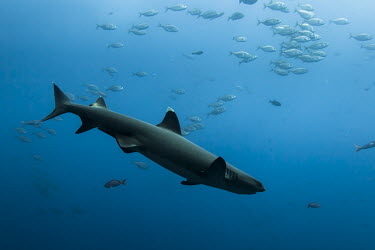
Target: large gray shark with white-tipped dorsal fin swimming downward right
{"x": 162, "y": 144}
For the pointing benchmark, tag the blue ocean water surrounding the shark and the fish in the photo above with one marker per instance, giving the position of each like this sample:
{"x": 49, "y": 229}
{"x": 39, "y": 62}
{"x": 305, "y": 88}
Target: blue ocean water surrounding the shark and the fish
{"x": 302, "y": 151}
